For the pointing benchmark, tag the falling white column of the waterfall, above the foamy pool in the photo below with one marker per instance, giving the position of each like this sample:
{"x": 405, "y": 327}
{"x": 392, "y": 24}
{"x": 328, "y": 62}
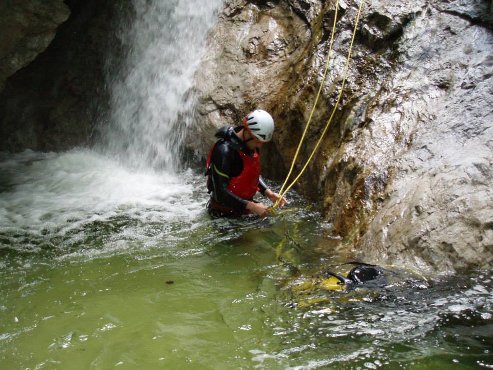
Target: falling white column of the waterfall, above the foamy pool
{"x": 151, "y": 105}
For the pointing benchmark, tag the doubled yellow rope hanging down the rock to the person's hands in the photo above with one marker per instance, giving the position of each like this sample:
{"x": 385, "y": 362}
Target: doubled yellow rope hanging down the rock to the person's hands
{"x": 346, "y": 69}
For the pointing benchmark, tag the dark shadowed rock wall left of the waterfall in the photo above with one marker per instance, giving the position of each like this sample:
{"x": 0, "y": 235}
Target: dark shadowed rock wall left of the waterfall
{"x": 53, "y": 102}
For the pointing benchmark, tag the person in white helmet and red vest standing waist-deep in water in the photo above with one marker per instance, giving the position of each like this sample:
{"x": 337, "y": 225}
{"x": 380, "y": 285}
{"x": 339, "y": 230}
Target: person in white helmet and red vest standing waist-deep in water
{"x": 233, "y": 168}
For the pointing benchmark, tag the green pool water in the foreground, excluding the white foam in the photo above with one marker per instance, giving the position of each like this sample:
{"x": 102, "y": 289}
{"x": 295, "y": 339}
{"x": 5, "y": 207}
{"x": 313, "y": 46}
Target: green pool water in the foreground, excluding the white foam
{"x": 216, "y": 298}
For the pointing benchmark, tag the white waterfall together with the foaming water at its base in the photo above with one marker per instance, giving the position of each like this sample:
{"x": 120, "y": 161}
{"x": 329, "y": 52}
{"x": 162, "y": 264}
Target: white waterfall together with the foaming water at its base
{"x": 47, "y": 200}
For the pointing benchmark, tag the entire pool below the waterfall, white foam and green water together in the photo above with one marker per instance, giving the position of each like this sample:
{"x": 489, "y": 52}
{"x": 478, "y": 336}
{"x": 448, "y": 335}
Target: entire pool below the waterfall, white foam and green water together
{"x": 102, "y": 272}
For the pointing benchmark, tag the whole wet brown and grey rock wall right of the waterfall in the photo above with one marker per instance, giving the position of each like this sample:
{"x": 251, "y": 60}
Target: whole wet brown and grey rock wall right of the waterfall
{"x": 404, "y": 173}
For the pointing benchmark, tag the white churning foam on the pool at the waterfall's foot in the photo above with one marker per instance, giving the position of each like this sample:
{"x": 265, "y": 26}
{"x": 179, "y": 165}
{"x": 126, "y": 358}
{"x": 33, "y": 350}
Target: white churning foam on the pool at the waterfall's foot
{"x": 61, "y": 192}
